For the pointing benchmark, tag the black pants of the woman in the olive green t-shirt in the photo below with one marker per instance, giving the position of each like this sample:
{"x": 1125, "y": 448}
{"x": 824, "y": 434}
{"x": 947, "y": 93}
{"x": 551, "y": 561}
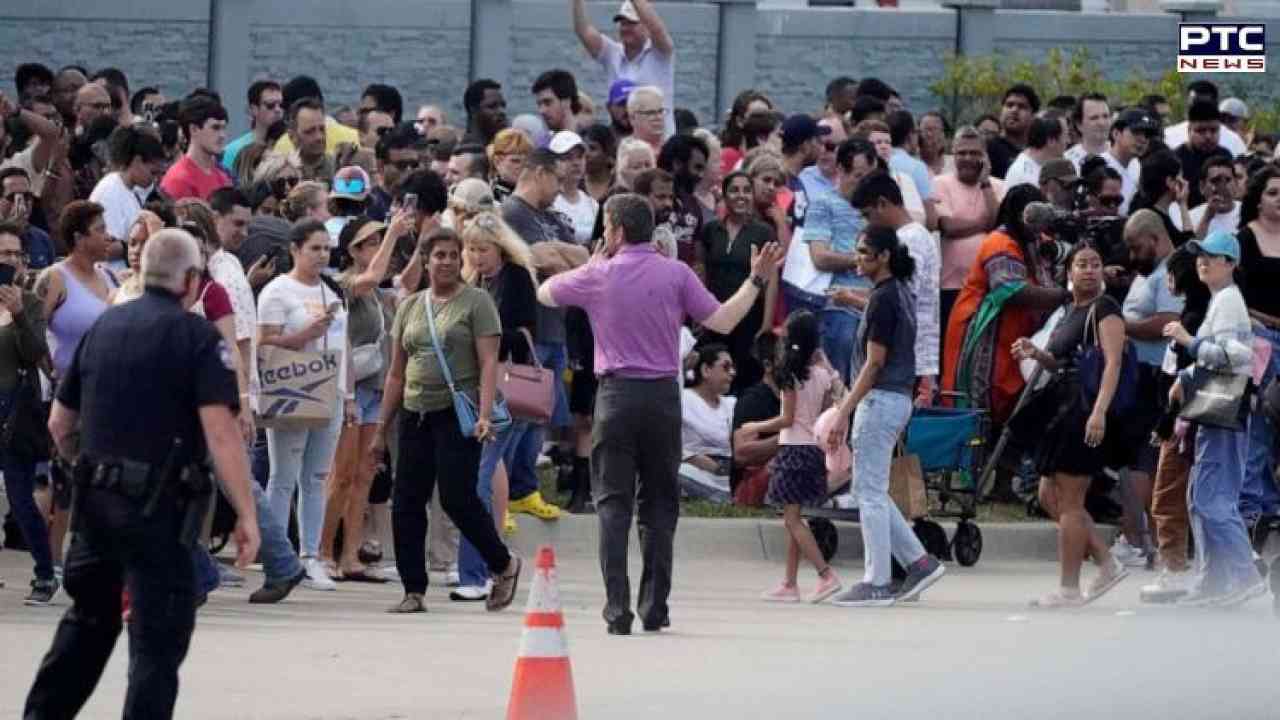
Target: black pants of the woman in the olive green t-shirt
{"x": 432, "y": 446}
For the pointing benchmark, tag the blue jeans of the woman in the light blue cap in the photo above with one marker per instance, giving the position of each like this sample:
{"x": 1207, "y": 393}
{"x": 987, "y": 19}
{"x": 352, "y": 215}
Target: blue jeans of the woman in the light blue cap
{"x": 1215, "y": 509}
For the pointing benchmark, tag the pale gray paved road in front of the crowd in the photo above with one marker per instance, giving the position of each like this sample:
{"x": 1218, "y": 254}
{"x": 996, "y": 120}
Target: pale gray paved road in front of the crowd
{"x": 970, "y": 649}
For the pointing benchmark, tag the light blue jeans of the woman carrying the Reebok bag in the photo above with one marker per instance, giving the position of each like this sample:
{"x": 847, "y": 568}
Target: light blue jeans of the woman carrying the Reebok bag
{"x": 301, "y": 459}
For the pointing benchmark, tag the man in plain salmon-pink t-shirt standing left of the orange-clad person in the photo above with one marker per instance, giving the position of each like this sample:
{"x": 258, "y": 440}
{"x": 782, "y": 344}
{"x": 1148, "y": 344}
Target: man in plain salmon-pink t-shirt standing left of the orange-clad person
{"x": 967, "y": 207}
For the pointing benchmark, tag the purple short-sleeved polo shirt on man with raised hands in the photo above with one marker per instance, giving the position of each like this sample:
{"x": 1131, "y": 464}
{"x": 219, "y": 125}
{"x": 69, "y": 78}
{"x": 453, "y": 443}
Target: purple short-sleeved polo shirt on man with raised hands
{"x": 637, "y": 303}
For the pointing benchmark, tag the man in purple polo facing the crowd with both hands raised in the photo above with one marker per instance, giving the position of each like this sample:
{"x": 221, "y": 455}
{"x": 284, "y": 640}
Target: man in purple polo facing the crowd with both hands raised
{"x": 637, "y": 300}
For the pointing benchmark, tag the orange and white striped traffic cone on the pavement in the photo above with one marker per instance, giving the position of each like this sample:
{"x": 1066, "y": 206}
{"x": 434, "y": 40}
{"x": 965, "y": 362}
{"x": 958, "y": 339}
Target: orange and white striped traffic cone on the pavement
{"x": 543, "y": 689}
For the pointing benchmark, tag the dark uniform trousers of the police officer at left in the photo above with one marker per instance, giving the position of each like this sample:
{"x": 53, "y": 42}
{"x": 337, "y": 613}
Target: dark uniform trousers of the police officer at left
{"x": 116, "y": 546}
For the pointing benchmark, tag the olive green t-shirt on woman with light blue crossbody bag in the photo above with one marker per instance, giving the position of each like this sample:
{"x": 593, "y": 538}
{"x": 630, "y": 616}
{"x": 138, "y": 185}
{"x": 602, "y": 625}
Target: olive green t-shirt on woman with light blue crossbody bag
{"x": 459, "y": 323}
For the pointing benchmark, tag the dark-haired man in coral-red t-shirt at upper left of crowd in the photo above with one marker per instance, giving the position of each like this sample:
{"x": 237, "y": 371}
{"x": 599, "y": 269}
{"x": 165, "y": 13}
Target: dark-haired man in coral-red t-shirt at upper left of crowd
{"x": 199, "y": 174}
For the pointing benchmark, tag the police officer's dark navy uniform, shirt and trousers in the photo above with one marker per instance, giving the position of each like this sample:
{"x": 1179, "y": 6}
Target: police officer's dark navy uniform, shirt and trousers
{"x": 139, "y": 380}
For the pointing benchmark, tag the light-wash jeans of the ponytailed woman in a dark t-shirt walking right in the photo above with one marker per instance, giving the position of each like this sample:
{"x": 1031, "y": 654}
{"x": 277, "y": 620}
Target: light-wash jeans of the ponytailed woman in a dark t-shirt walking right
{"x": 879, "y": 422}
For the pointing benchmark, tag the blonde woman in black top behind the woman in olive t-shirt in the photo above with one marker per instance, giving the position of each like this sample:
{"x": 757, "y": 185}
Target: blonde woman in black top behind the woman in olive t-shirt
{"x": 499, "y": 262}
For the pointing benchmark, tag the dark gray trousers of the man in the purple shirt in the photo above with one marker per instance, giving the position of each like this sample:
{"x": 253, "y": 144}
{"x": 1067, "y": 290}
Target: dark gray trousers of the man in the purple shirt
{"x": 636, "y": 459}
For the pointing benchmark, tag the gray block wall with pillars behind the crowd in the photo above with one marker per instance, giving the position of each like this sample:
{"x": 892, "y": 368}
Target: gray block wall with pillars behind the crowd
{"x": 431, "y": 49}
